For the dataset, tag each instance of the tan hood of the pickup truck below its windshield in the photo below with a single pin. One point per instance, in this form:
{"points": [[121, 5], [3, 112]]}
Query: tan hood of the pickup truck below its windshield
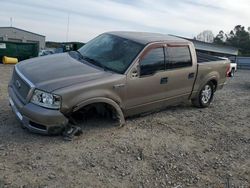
{"points": [[58, 71]]}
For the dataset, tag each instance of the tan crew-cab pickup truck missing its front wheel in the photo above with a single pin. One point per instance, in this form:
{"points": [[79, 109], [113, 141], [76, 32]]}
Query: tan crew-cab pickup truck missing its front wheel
{"points": [[125, 73]]}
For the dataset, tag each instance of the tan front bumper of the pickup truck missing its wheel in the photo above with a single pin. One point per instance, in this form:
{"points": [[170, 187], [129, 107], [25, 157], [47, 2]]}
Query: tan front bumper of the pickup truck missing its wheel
{"points": [[35, 118]]}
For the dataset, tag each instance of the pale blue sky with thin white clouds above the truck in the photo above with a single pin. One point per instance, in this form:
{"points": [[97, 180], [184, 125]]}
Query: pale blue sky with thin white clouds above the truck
{"points": [[90, 18]]}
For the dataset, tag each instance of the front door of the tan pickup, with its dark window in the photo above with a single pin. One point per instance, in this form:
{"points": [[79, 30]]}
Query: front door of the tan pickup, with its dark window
{"points": [[150, 84]]}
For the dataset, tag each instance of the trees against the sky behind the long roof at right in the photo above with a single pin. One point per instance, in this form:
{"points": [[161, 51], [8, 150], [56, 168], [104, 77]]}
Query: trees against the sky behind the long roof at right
{"points": [[239, 38]]}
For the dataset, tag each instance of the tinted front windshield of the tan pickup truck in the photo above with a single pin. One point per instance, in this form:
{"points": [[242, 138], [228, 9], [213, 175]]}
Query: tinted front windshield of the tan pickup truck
{"points": [[111, 52]]}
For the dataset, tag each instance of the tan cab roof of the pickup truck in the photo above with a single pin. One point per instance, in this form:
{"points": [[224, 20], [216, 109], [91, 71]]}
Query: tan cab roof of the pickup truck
{"points": [[146, 38]]}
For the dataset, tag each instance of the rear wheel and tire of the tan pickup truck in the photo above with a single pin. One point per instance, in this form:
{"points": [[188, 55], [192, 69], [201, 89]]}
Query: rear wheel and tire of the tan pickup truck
{"points": [[205, 96]]}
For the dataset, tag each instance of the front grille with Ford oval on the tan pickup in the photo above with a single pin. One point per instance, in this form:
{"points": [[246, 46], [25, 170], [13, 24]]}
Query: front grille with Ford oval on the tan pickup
{"points": [[21, 87]]}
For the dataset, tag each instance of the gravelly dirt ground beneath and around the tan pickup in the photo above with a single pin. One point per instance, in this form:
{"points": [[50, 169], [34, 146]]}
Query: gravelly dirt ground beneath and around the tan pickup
{"points": [[181, 146]]}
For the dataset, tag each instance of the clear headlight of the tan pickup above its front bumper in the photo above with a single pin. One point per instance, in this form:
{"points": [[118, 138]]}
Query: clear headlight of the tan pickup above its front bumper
{"points": [[46, 100]]}
